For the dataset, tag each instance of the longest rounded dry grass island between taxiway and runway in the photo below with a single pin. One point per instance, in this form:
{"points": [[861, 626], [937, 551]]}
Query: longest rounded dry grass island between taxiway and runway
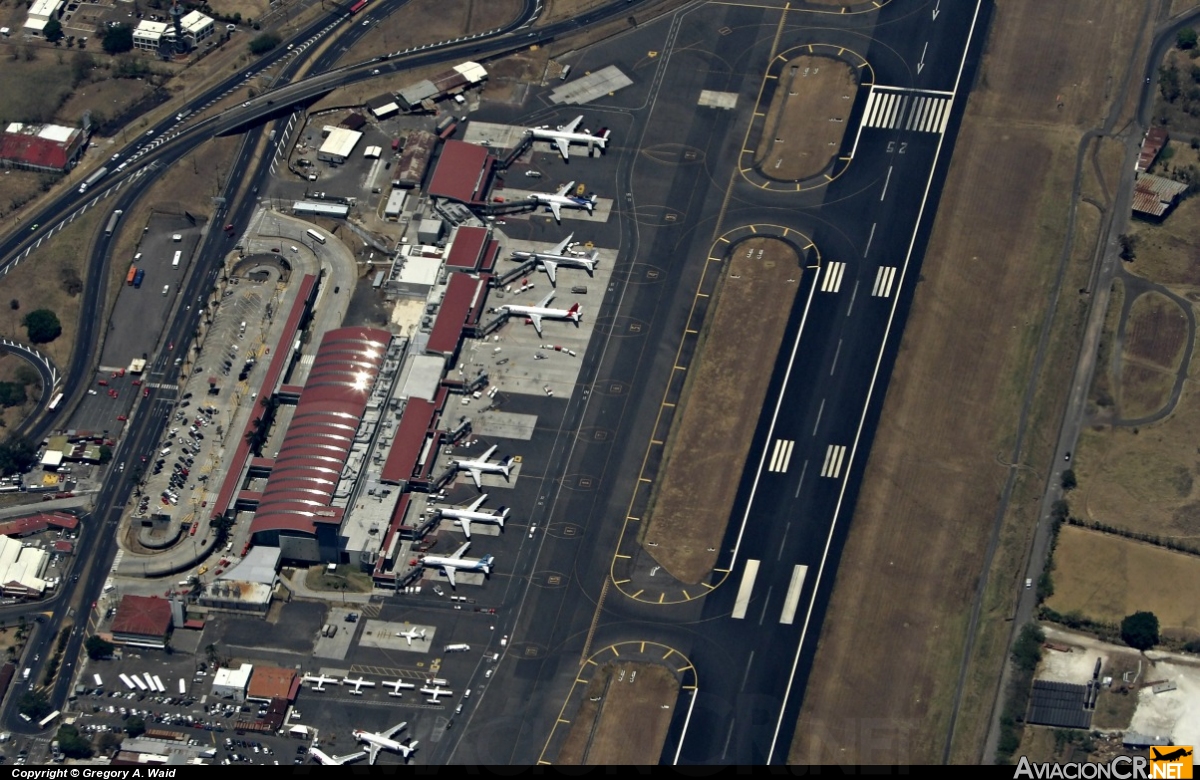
{"points": [[712, 431]]}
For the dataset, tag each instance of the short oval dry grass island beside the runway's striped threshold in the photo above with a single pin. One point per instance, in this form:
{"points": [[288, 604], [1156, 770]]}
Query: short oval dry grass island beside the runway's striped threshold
{"points": [[807, 118]]}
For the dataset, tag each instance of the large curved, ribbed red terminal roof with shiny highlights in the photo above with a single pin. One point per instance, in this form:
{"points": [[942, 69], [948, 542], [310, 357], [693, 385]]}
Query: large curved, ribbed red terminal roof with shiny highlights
{"points": [[319, 441]]}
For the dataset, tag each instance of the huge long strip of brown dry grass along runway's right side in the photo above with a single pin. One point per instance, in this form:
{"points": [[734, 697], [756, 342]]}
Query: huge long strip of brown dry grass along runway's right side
{"points": [[911, 566]]}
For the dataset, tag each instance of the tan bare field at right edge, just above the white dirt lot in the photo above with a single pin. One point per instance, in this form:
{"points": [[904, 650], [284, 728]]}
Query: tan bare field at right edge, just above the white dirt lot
{"points": [[1106, 578]]}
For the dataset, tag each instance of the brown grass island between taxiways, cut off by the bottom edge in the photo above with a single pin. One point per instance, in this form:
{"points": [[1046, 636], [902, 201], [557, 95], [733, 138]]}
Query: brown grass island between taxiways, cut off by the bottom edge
{"points": [[628, 724]]}
